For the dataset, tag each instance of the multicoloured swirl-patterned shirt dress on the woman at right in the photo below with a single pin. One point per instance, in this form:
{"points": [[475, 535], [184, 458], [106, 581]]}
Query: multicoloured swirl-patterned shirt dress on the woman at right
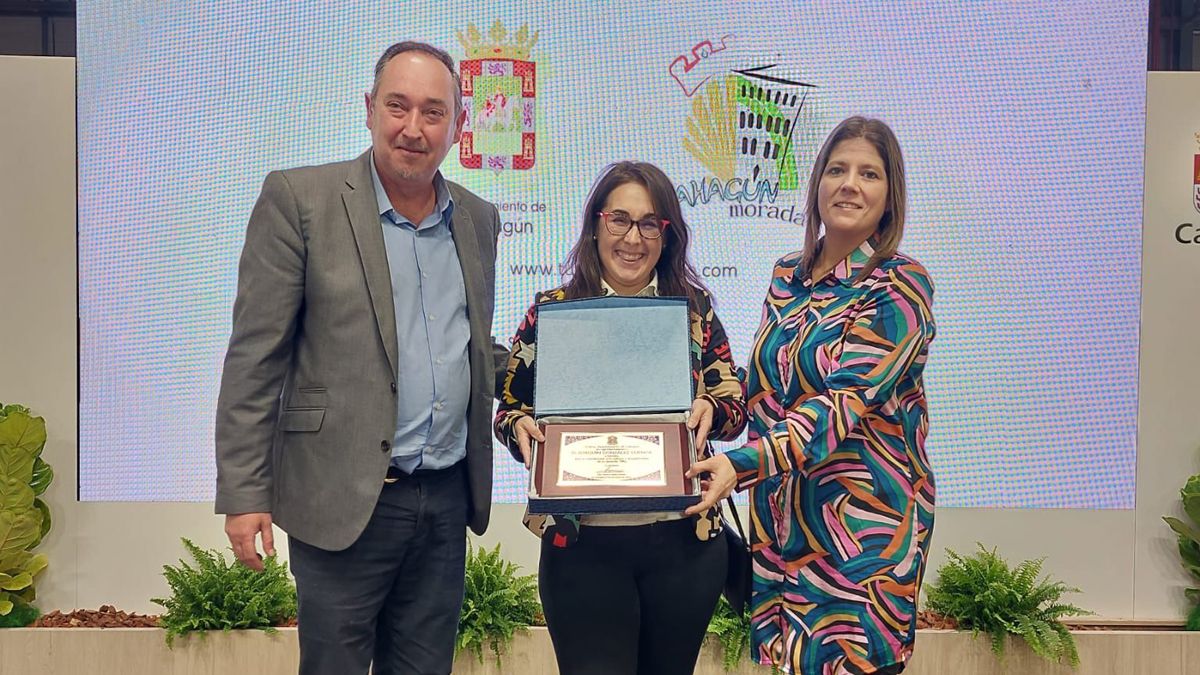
{"points": [[843, 499]]}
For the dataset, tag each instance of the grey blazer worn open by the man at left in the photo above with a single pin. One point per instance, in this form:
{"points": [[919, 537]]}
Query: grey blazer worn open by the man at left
{"points": [[308, 404]]}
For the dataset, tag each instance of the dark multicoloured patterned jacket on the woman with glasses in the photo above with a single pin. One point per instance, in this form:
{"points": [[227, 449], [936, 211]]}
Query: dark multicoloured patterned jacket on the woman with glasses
{"points": [[715, 379]]}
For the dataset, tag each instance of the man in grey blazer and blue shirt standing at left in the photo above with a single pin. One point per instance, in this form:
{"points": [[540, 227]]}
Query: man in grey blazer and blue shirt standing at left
{"points": [[357, 393]]}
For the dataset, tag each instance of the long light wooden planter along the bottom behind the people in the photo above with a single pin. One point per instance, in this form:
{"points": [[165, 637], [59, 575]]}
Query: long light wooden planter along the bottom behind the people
{"points": [[137, 652]]}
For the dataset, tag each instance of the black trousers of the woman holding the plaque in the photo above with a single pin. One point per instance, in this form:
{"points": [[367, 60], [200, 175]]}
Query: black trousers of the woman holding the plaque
{"points": [[626, 601]]}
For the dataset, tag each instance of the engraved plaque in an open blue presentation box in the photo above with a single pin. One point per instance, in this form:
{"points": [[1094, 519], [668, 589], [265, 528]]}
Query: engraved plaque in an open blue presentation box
{"points": [[613, 393]]}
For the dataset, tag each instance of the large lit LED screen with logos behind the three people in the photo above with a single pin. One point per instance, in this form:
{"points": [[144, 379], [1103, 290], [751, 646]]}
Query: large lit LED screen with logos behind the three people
{"points": [[1022, 126]]}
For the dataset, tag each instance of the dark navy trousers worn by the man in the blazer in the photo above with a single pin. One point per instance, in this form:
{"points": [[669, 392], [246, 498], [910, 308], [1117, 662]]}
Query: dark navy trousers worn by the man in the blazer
{"points": [[395, 595]]}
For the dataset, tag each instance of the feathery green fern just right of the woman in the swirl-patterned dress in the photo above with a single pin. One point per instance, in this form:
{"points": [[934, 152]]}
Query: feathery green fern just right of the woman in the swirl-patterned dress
{"points": [[985, 595]]}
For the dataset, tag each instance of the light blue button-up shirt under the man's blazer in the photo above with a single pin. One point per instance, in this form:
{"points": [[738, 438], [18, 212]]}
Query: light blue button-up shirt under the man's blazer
{"points": [[433, 332]]}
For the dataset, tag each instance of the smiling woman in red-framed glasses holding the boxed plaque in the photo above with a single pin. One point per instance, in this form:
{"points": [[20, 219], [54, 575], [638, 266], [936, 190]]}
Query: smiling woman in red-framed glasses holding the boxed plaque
{"points": [[631, 594]]}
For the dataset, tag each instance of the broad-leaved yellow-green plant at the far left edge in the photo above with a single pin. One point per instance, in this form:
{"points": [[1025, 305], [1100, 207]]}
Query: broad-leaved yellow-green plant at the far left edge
{"points": [[25, 517]]}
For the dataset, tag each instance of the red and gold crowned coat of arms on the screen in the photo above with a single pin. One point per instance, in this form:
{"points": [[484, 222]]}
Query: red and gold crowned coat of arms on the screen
{"points": [[500, 91]]}
